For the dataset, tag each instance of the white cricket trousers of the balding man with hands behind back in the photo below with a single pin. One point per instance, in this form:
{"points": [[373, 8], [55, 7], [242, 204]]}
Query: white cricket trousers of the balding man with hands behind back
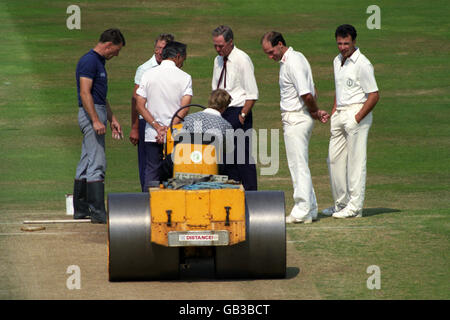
{"points": [[297, 128]]}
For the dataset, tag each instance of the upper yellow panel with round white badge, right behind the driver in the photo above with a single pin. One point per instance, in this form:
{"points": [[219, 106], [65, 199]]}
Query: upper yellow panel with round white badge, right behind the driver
{"points": [[195, 158]]}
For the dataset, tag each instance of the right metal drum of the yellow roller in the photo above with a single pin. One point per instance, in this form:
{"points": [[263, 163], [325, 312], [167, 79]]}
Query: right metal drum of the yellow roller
{"points": [[263, 254]]}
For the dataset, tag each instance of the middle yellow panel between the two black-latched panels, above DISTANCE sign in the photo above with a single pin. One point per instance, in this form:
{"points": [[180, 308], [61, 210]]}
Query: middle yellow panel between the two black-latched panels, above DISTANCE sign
{"points": [[197, 208]]}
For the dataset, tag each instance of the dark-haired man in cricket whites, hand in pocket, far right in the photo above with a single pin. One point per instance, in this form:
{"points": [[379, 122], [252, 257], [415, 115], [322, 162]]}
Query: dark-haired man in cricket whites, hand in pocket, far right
{"points": [[356, 96]]}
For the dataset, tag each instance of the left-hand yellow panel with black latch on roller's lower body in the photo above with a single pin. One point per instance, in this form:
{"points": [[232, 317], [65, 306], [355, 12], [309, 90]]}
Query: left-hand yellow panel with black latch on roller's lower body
{"points": [[168, 199]]}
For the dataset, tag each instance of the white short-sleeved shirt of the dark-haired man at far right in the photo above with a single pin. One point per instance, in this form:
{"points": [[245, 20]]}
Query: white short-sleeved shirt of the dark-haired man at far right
{"points": [[354, 80]]}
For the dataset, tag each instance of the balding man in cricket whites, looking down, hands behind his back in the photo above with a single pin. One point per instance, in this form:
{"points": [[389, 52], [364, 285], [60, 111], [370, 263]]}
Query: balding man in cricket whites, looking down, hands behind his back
{"points": [[298, 110]]}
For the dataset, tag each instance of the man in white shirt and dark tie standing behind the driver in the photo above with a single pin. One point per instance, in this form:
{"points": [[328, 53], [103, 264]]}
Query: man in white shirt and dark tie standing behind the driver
{"points": [[234, 72]]}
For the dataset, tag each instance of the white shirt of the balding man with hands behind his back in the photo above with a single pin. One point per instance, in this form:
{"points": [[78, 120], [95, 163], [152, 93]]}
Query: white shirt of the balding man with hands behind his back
{"points": [[295, 80]]}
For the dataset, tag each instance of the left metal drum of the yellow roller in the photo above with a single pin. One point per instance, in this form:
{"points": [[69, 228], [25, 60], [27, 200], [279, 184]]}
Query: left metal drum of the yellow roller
{"points": [[131, 254]]}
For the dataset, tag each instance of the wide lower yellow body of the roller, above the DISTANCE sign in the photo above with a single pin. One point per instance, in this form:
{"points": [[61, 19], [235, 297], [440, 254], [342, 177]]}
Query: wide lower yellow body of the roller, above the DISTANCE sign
{"points": [[197, 210]]}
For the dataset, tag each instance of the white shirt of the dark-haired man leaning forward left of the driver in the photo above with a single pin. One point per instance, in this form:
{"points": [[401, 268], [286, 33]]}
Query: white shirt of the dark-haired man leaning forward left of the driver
{"points": [[163, 86]]}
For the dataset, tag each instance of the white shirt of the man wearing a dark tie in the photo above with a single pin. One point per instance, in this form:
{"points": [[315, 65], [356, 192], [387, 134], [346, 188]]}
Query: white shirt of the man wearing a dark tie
{"points": [[240, 77]]}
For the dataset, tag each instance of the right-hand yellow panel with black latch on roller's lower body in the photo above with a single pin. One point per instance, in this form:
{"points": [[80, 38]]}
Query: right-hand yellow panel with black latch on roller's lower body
{"points": [[233, 198]]}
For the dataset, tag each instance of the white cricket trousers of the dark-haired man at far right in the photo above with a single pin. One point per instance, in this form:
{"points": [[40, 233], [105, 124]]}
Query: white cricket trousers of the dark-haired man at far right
{"points": [[347, 157]]}
